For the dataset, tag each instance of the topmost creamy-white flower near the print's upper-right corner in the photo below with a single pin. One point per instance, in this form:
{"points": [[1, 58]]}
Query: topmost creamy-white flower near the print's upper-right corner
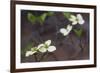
{"points": [[78, 19]]}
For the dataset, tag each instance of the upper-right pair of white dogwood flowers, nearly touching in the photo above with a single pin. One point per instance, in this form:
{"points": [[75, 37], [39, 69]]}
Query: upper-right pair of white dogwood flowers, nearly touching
{"points": [[78, 19]]}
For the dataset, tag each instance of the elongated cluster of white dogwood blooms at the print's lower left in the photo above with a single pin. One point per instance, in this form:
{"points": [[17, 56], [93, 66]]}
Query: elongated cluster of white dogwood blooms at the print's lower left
{"points": [[45, 47]]}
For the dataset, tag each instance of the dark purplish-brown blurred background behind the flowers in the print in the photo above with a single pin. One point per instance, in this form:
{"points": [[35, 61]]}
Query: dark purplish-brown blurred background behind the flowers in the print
{"points": [[34, 34]]}
